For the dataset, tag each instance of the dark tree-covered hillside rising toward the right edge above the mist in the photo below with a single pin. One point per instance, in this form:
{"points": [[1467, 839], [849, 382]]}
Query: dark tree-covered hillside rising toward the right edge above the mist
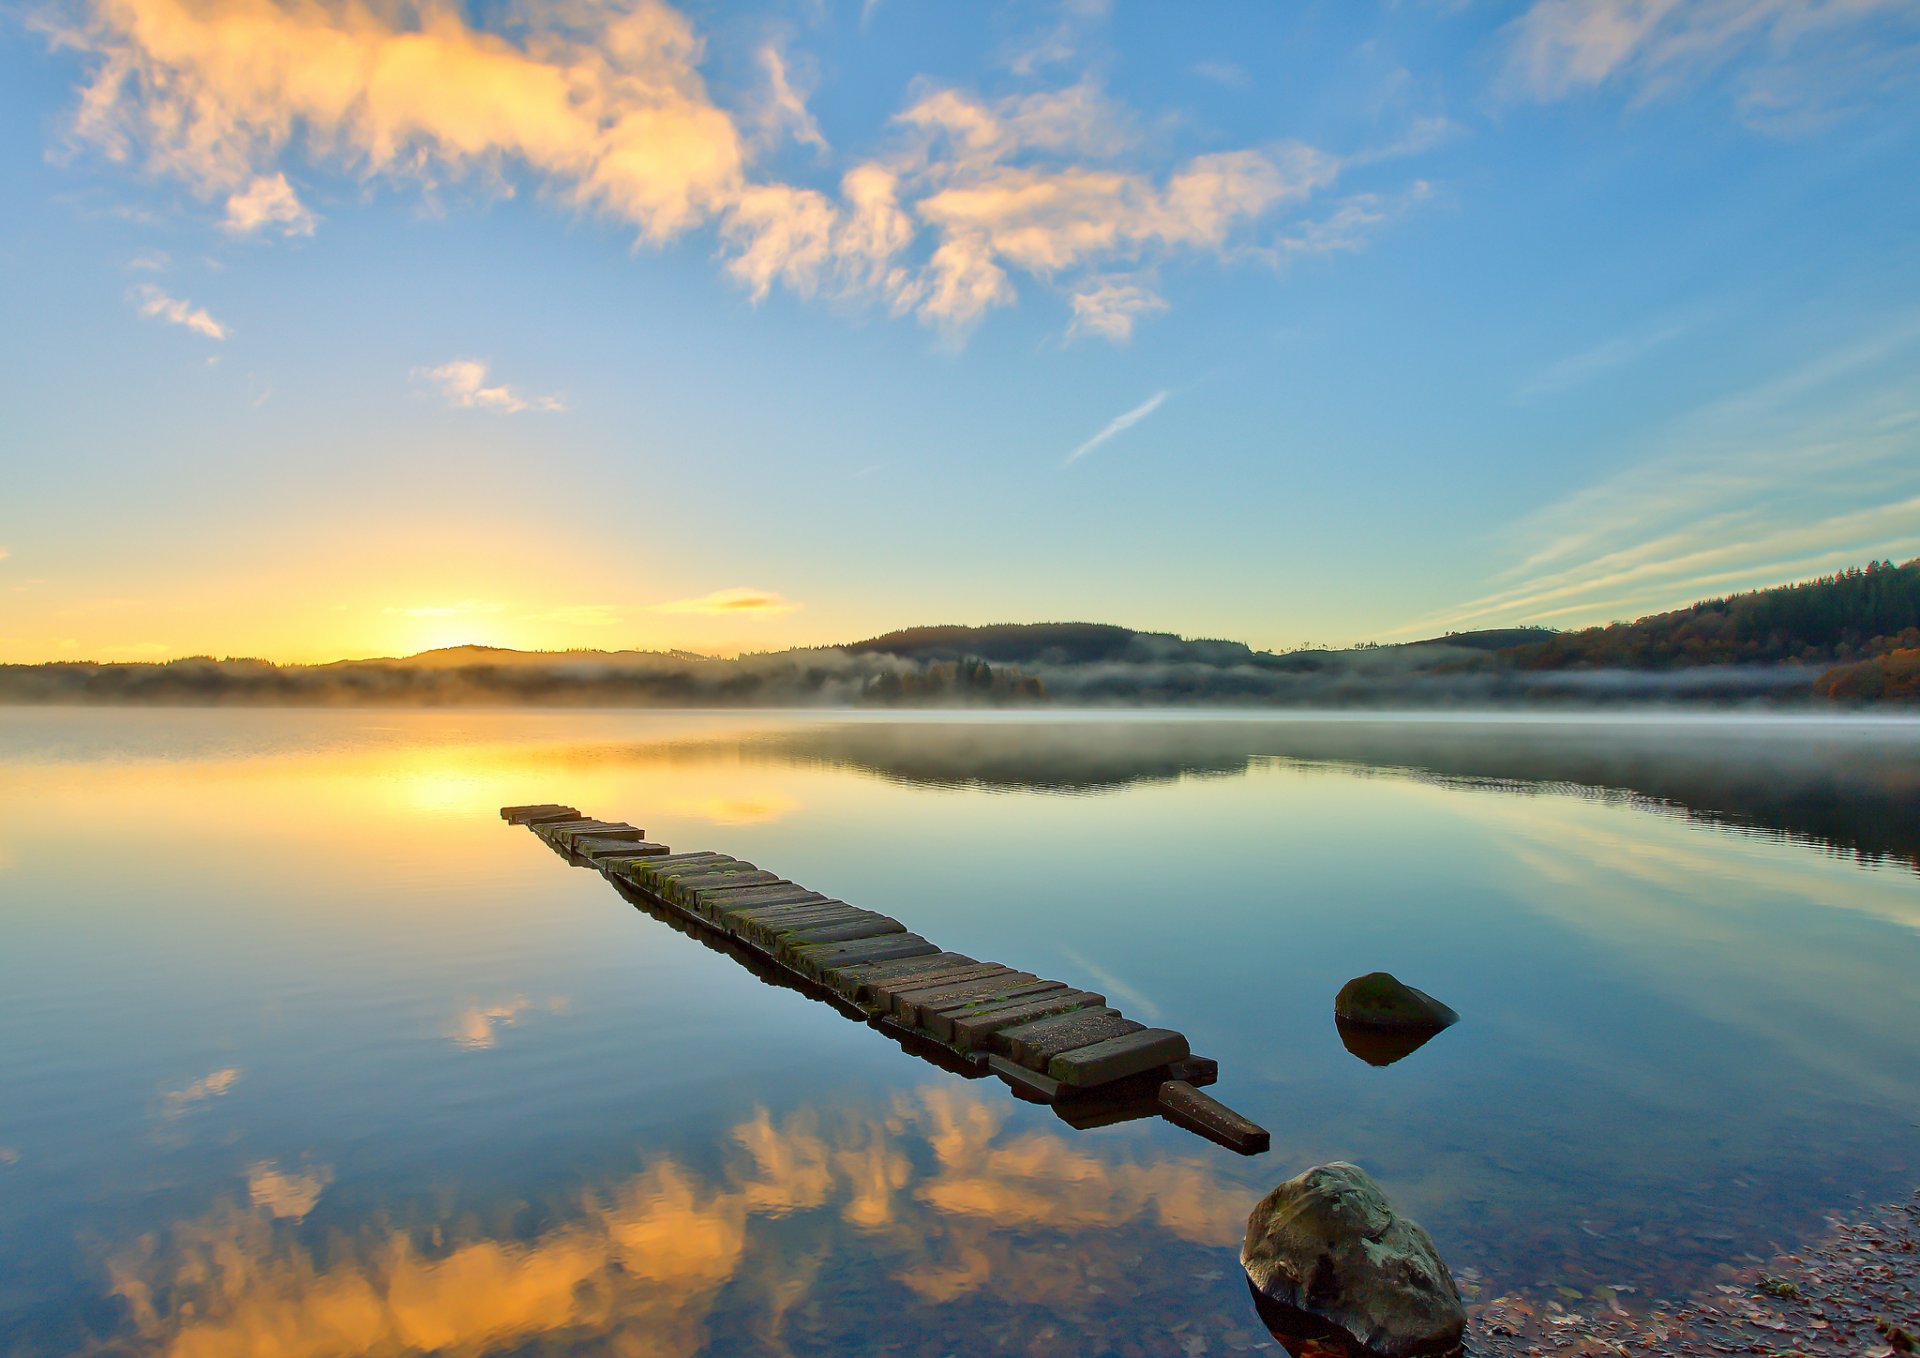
{"points": [[1838, 619]]}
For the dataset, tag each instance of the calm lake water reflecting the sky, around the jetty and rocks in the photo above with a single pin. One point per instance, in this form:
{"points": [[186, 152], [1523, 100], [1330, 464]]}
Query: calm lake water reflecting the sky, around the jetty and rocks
{"points": [[302, 1052]]}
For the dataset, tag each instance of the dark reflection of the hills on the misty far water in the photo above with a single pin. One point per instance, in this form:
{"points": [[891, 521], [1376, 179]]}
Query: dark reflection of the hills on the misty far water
{"points": [[1848, 788]]}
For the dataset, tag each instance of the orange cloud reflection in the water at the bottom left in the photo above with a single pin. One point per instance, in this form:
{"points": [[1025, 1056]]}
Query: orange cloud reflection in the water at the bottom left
{"points": [[848, 1232]]}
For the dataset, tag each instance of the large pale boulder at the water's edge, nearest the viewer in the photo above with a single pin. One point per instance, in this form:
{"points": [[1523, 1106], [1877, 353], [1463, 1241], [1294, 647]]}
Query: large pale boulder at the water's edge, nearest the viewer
{"points": [[1330, 1244]]}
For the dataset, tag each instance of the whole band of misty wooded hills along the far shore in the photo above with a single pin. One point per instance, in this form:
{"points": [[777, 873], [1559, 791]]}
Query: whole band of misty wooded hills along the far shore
{"points": [[1842, 639]]}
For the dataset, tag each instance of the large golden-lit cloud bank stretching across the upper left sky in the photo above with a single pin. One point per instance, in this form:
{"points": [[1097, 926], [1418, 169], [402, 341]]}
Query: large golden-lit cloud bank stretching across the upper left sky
{"points": [[608, 112]]}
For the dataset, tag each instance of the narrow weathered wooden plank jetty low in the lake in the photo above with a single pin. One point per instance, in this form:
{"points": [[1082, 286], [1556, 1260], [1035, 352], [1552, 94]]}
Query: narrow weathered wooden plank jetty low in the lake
{"points": [[1051, 1042]]}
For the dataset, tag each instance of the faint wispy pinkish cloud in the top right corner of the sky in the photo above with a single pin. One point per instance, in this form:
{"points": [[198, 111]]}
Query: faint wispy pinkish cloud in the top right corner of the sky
{"points": [[1777, 53]]}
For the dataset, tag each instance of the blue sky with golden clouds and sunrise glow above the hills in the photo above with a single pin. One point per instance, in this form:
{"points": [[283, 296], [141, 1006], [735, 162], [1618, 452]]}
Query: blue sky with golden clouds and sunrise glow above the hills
{"points": [[345, 329]]}
